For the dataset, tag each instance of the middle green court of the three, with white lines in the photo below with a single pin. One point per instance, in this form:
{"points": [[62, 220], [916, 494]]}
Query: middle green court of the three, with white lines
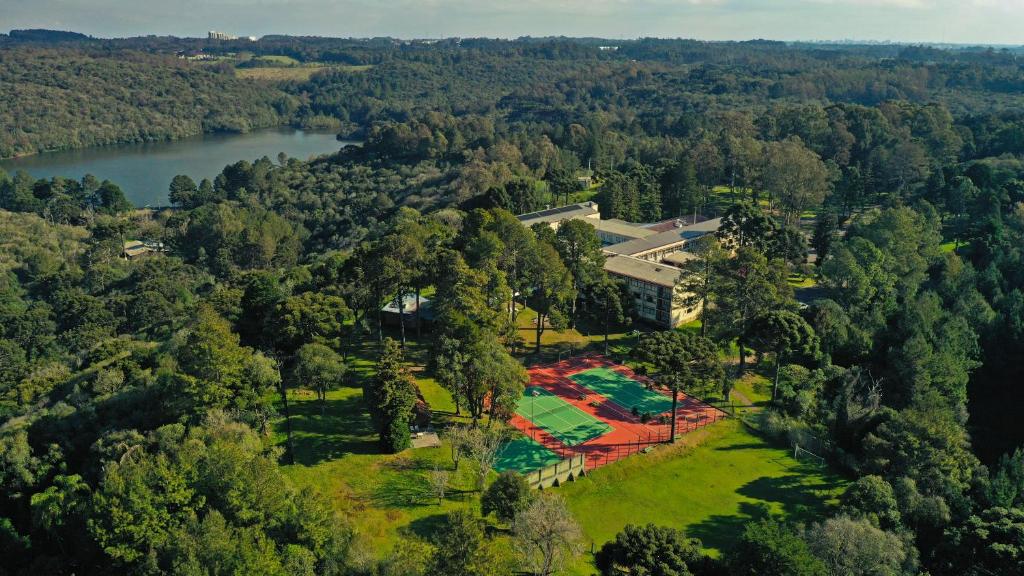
{"points": [[560, 419]]}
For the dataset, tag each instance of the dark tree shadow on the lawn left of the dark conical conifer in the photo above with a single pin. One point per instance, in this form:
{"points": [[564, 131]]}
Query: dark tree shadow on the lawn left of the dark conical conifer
{"points": [[343, 430]]}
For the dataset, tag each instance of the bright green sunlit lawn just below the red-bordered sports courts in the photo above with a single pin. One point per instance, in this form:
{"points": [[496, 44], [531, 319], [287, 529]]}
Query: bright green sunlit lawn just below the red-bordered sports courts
{"points": [[711, 490]]}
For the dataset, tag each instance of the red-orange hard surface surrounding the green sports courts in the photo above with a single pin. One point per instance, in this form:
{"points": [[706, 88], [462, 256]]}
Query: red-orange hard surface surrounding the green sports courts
{"points": [[629, 435]]}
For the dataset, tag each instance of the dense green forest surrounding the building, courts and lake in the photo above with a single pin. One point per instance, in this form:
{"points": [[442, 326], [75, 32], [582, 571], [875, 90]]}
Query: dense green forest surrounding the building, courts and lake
{"points": [[140, 398]]}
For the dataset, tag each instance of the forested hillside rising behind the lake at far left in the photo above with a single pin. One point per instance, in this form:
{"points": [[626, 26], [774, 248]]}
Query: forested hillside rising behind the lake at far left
{"points": [[68, 98]]}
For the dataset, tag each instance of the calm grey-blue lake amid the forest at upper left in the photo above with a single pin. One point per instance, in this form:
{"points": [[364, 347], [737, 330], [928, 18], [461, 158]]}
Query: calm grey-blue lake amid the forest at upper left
{"points": [[145, 171]]}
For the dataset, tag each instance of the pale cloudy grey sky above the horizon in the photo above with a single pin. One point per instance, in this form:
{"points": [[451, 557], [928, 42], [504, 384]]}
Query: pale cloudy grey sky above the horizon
{"points": [[974, 22]]}
